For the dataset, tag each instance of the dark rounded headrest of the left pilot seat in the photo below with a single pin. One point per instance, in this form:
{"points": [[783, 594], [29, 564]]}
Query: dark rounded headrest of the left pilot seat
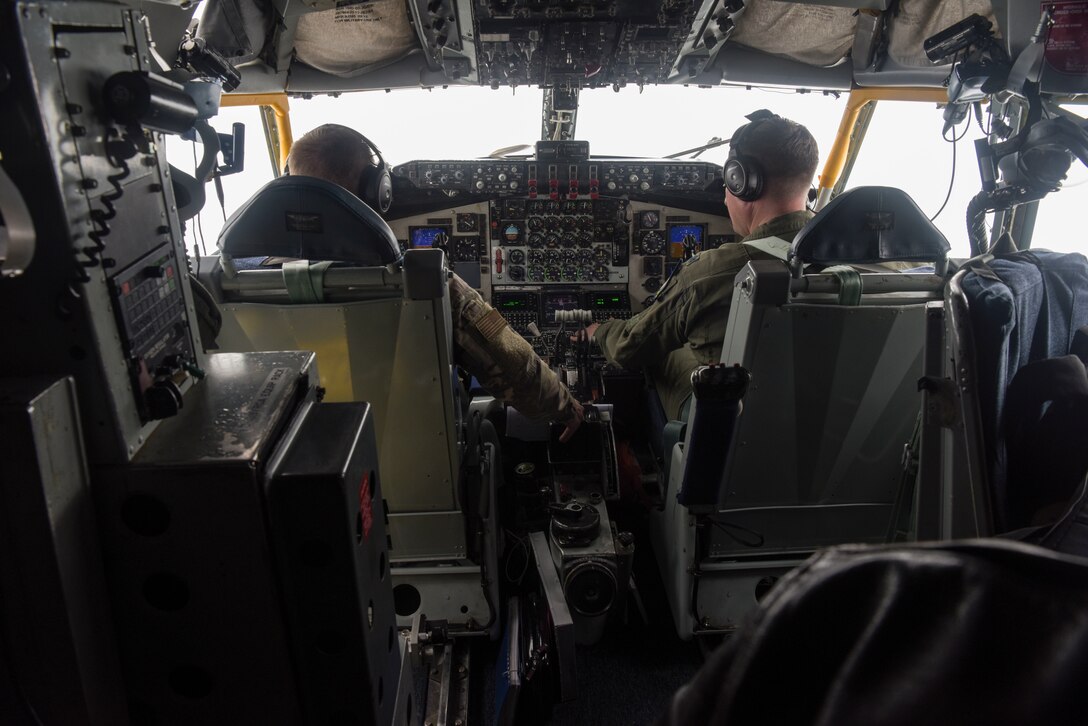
{"points": [[308, 218]]}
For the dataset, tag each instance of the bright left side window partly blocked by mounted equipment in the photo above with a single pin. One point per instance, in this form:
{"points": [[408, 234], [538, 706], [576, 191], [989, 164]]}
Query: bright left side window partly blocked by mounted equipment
{"points": [[203, 231]]}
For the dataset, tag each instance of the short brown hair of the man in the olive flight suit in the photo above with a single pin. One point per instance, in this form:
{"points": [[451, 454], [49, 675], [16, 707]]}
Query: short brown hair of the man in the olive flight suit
{"points": [[787, 154]]}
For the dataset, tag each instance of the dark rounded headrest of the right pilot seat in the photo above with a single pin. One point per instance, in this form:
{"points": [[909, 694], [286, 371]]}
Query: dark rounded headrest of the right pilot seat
{"points": [[870, 225]]}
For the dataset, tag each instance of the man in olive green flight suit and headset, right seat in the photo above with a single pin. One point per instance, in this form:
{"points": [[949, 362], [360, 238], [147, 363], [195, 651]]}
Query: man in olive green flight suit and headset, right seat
{"points": [[771, 166]]}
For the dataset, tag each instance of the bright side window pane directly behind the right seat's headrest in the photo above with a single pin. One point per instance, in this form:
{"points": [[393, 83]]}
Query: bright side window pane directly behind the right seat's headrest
{"points": [[904, 149]]}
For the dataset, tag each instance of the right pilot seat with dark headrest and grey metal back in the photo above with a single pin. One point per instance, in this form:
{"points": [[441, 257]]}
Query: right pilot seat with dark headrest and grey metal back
{"points": [[796, 441]]}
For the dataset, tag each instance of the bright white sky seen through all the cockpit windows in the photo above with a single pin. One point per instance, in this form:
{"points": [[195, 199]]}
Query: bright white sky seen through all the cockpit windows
{"points": [[904, 149]]}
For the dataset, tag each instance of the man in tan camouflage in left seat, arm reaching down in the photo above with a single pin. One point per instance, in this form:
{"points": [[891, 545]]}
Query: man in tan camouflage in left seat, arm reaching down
{"points": [[484, 343]]}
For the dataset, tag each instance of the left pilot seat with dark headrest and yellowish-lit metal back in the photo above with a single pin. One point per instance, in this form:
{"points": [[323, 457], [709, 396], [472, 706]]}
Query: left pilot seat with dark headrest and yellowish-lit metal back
{"points": [[305, 265]]}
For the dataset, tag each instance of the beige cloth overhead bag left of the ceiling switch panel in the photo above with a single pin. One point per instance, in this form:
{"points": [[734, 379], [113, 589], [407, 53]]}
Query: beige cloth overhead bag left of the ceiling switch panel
{"points": [[355, 38]]}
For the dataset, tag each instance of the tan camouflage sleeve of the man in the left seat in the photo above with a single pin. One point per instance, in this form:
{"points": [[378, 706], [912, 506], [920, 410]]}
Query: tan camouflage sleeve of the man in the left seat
{"points": [[502, 361]]}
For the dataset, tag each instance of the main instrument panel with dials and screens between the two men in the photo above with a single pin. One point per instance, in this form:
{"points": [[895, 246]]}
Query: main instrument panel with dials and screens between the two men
{"points": [[537, 237]]}
